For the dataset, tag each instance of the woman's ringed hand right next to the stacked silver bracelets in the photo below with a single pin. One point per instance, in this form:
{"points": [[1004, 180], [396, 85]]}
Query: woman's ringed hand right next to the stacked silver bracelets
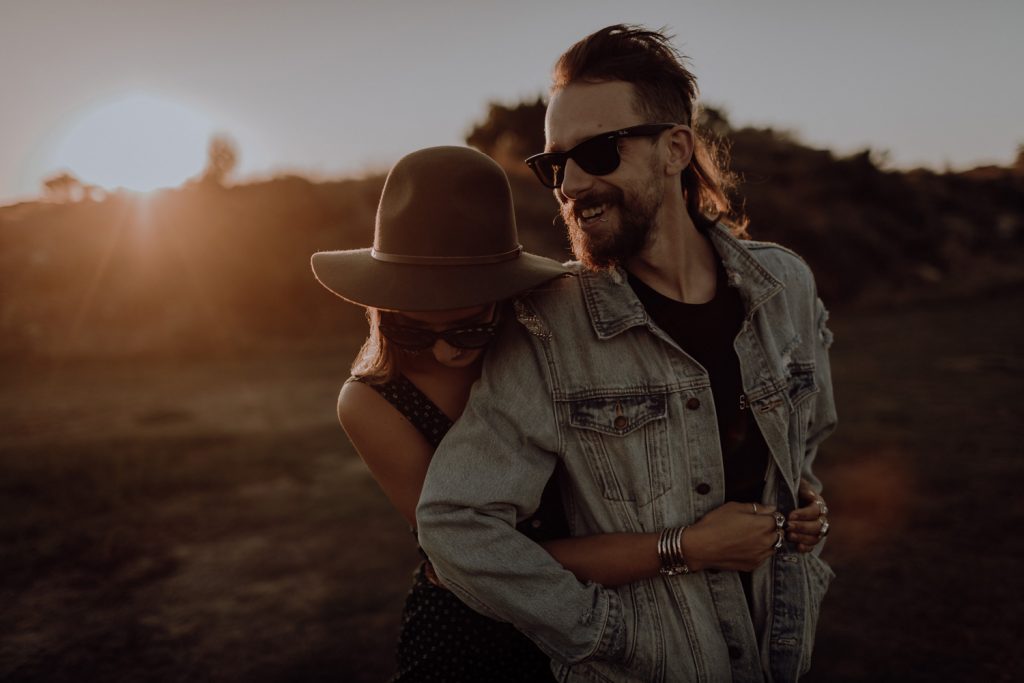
{"points": [[736, 536]]}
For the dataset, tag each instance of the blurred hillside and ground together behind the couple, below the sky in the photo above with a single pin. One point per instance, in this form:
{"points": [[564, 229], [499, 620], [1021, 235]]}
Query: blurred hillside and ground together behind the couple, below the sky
{"points": [[179, 502]]}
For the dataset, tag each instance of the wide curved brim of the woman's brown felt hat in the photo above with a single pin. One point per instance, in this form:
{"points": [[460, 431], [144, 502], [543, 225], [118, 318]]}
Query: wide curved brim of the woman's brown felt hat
{"points": [[360, 279]]}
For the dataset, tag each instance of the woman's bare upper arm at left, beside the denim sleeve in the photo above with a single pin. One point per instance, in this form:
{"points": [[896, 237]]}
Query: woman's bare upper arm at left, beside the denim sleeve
{"points": [[396, 453]]}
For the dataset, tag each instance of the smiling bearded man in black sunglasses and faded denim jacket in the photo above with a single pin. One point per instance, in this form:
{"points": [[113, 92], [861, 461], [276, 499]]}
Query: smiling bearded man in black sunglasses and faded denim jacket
{"points": [[681, 387]]}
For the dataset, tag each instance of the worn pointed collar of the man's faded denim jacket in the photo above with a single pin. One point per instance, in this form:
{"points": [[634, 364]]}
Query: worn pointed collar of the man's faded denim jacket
{"points": [[614, 311]]}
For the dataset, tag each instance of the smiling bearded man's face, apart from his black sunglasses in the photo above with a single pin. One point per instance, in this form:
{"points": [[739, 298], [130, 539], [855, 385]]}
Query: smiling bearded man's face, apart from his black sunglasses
{"points": [[610, 217]]}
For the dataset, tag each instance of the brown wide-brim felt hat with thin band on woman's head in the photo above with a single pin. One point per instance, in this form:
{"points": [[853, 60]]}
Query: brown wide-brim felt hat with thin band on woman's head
{"points": [[446, 238]]}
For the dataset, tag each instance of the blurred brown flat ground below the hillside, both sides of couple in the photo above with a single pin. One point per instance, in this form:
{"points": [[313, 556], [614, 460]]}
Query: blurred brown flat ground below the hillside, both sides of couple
{"points": [[207, 520]]}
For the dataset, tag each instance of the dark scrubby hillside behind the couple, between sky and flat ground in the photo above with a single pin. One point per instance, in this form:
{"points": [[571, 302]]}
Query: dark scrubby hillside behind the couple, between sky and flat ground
{"points": [[207, 269]]}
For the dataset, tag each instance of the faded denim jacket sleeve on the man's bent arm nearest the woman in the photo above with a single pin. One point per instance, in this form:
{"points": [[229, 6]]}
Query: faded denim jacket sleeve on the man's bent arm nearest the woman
{"points": [[489, 473]]}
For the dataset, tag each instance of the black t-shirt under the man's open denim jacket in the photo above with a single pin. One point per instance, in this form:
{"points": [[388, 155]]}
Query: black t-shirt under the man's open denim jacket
{"points": [[707, 332]]}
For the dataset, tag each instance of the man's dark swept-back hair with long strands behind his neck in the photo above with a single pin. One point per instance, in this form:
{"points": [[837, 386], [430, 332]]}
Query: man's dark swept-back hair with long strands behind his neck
{"points": [[666, 92]]}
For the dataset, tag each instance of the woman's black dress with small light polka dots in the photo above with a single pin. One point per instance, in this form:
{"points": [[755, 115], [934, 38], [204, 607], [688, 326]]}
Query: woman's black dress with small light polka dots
{"points": [[442, 639]]}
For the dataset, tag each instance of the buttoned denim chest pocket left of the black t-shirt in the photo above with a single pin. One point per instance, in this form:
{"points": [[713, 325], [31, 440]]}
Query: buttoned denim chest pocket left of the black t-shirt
{"points": [[624, 440]]}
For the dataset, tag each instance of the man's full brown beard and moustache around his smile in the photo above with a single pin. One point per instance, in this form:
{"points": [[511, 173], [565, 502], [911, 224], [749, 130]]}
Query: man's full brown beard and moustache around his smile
{"points": [[601, 248]]}
